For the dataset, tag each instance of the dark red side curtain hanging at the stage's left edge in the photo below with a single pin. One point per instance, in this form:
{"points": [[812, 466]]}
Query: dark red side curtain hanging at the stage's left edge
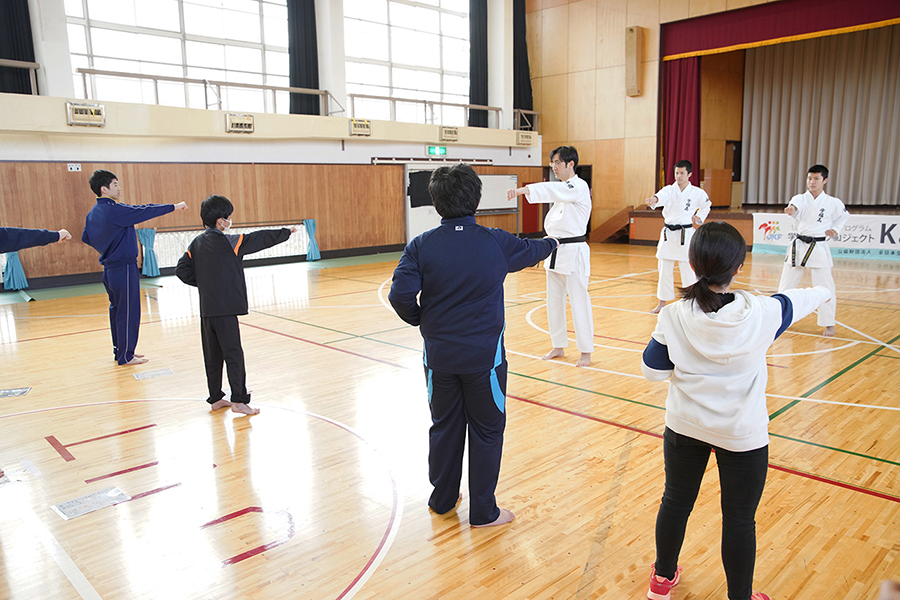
{"points": [[681, 120]]}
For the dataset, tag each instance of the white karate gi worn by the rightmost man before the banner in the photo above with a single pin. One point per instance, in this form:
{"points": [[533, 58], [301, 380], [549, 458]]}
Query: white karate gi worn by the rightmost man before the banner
{"points": [[813, 218]]}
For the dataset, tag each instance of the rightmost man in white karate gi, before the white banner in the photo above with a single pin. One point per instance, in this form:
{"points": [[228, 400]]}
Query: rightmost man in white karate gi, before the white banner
{"points": [[817, 217]]}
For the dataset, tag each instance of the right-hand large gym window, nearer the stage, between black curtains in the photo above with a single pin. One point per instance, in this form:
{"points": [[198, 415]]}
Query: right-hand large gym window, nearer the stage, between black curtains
{"points": [[409, 50]]}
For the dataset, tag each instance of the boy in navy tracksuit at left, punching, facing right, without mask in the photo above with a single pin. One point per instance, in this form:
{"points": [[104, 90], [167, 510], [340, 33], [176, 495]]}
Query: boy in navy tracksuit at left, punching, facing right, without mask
{"points": [[109, 229]]}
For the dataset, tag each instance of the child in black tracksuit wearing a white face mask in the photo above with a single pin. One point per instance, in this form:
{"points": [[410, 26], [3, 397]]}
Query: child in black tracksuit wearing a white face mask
{"points": [[213, 264]]}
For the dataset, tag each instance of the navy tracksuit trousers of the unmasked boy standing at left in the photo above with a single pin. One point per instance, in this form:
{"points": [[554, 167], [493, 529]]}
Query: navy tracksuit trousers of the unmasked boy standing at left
{"points": [[123, 288]]}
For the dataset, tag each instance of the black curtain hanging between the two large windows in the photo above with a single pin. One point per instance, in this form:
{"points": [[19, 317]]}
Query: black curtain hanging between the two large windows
{"points": [[304, 55]]}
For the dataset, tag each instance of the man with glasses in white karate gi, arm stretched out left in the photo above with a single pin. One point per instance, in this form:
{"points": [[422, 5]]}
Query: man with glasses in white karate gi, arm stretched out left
{"points": [[569, 268]]}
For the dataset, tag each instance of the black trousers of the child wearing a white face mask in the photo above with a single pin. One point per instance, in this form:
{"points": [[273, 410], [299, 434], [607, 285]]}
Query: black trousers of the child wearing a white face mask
{"points": [[222, 343]]}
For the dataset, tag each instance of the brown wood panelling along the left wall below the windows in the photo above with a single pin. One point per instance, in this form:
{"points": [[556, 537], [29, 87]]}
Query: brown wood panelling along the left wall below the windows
{"points": [[355, 206]]}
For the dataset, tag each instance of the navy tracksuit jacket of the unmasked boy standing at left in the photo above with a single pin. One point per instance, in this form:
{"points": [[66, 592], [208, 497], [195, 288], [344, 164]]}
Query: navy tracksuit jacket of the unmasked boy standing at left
{"points": [[109, 229]]}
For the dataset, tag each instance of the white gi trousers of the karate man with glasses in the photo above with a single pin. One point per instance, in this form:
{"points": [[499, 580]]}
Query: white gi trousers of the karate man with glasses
{"points": [[575, 285]]}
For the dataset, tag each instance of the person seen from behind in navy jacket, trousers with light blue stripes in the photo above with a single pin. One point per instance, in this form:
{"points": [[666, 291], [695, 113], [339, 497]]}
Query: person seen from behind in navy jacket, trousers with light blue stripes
{"points": [[459, 268]]}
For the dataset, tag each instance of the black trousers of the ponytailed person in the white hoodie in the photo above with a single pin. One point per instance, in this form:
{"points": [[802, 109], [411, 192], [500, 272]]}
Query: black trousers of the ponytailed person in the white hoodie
{"points": [[742, 476]]}
